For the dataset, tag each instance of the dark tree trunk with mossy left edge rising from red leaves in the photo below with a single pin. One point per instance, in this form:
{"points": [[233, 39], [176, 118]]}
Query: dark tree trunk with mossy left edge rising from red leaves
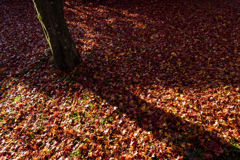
{"points": [[51, 16]]}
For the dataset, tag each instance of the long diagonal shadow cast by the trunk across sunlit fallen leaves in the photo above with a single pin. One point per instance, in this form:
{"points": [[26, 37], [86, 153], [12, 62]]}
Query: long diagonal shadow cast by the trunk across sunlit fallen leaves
{"points": [[117, 90]]}
